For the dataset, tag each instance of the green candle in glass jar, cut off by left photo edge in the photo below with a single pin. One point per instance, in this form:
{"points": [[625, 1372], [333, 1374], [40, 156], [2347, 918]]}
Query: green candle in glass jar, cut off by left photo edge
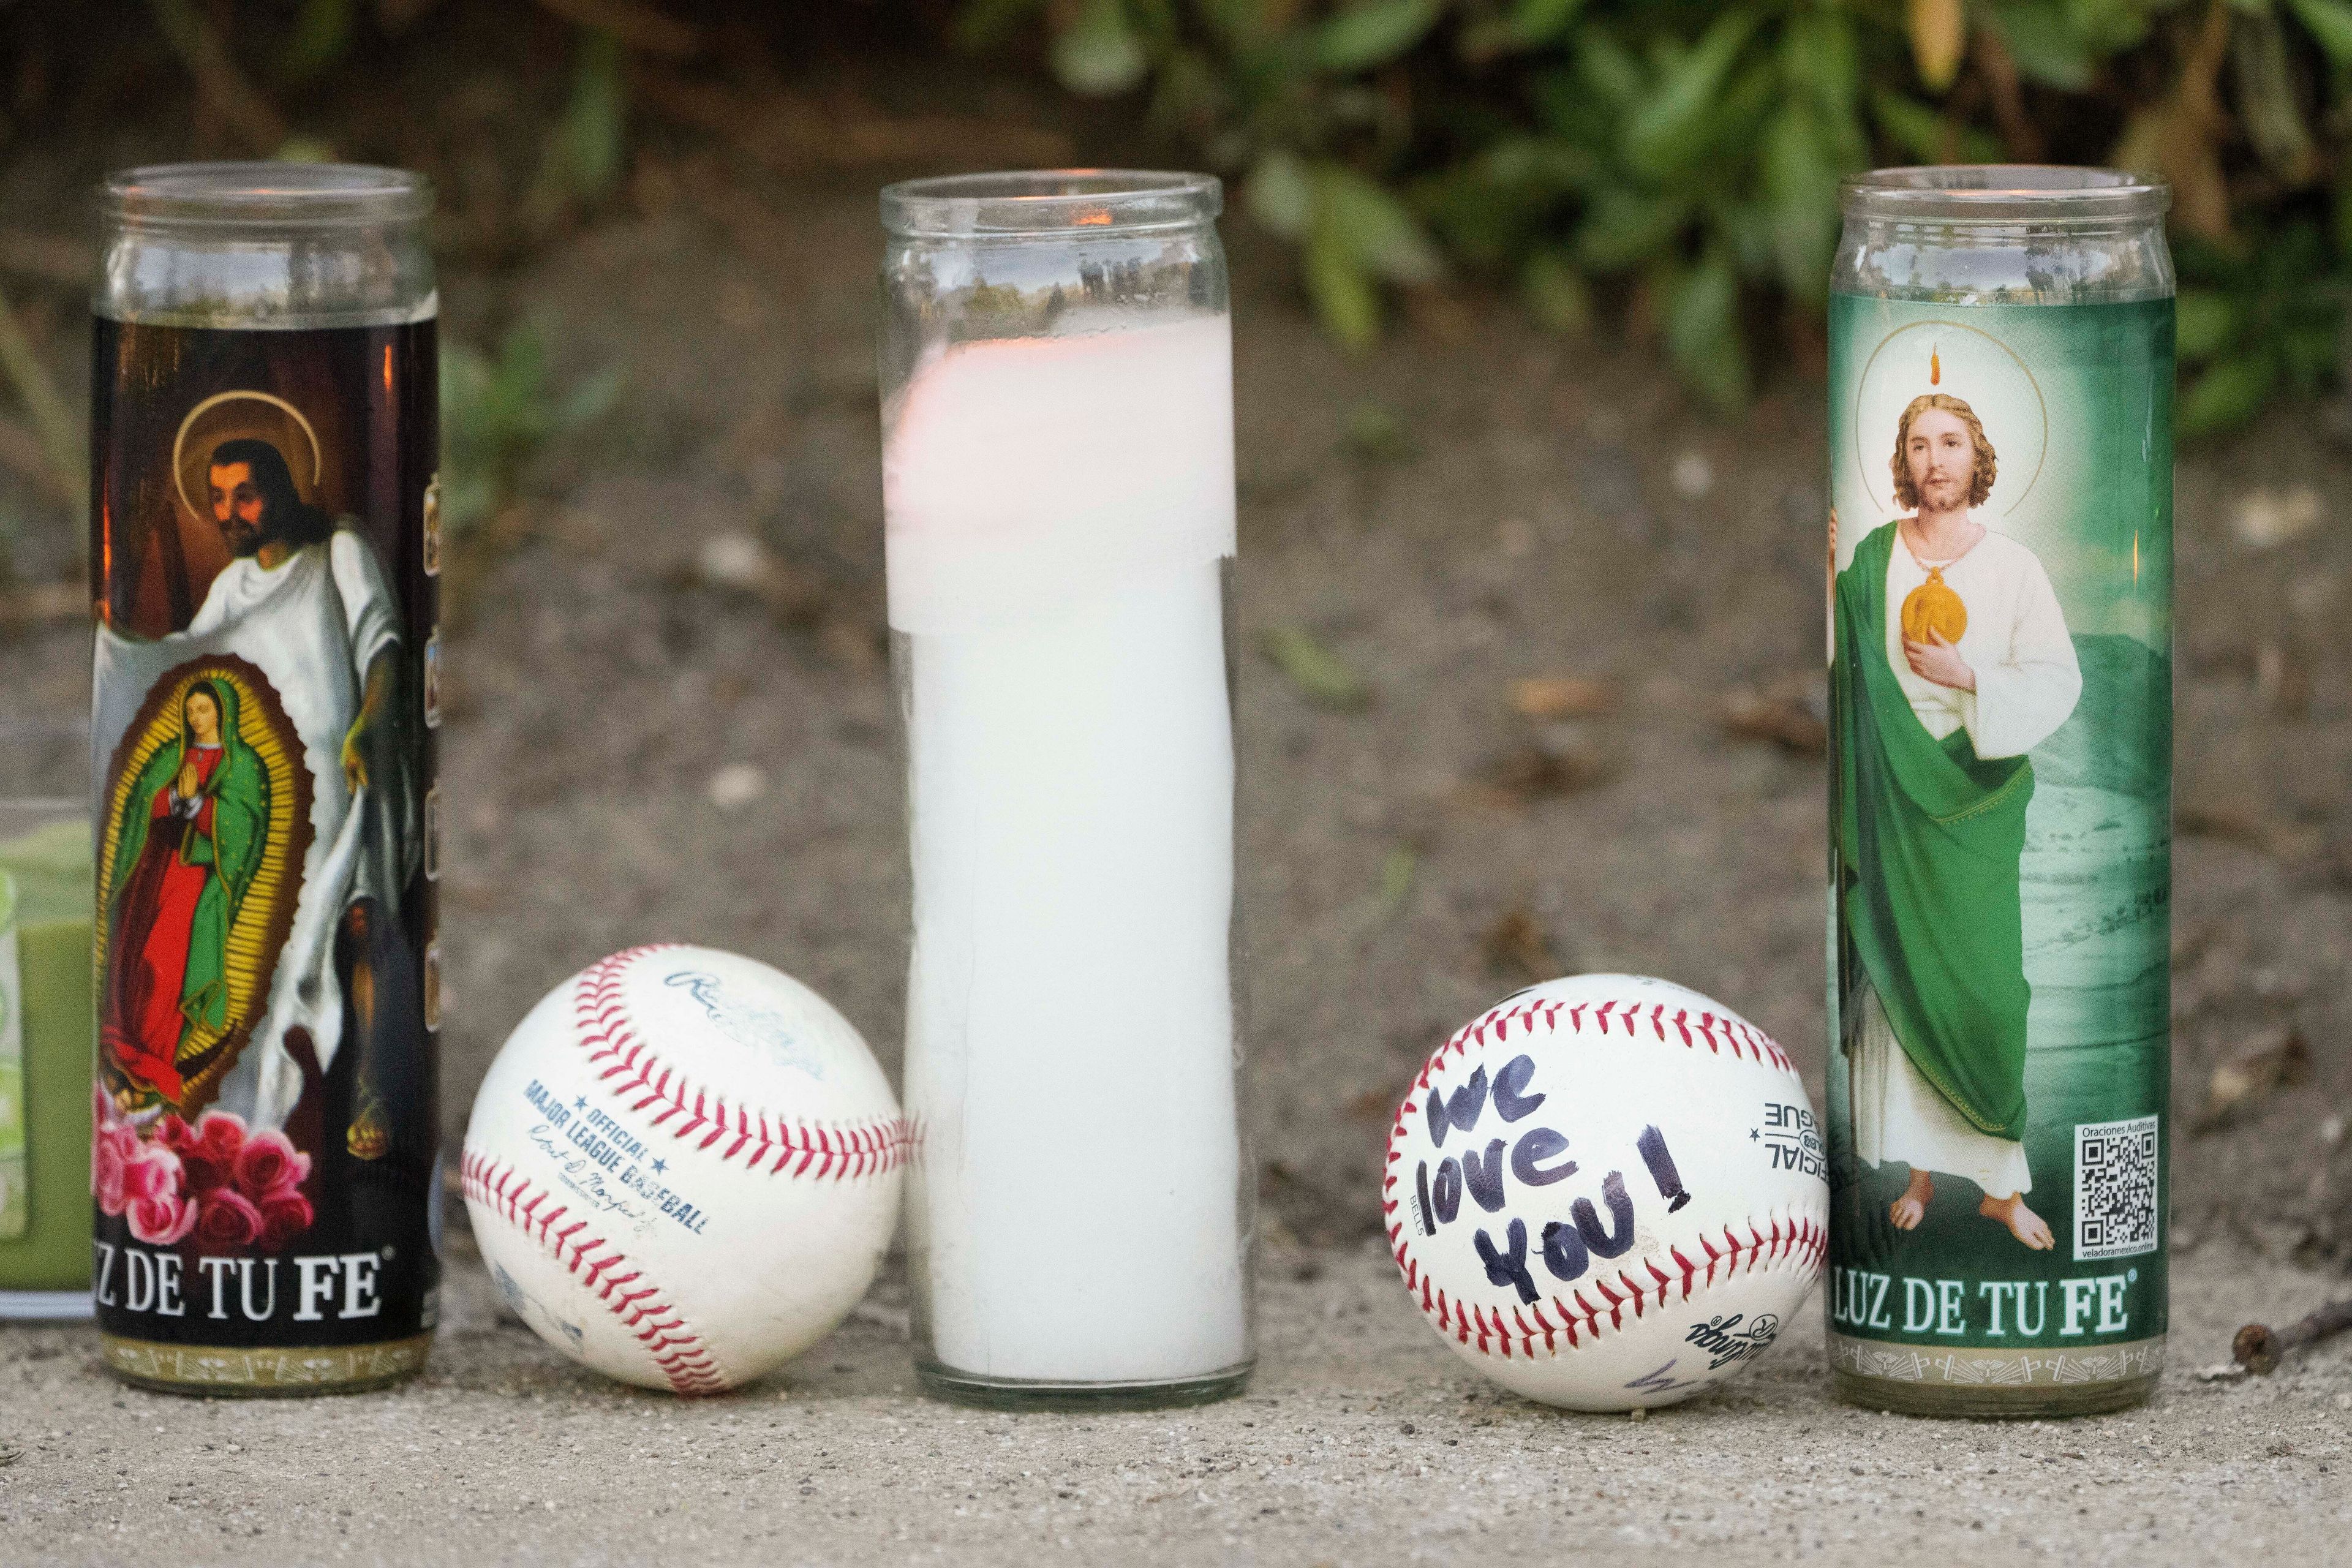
{"points": [[46, 1026]]}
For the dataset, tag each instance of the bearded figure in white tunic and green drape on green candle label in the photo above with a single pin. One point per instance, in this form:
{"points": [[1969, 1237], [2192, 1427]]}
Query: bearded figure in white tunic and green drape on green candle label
{"points": [[1951, 664]]}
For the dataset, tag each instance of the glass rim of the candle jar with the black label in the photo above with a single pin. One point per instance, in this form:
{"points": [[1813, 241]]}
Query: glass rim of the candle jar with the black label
{"points": [[272, 196]]}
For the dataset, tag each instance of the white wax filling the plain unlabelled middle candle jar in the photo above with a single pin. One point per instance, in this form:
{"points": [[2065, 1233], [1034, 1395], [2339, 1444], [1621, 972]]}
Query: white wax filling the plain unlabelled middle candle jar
{"points": [[1057, 523]]}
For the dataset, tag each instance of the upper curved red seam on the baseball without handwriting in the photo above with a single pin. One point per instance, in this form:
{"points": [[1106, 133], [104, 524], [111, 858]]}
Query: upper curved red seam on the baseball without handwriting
{"points": [[641, 1080]]}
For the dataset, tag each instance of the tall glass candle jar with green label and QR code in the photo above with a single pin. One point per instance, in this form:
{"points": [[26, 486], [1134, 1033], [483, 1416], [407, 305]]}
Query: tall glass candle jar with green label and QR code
{"points": [[2000, 789]]}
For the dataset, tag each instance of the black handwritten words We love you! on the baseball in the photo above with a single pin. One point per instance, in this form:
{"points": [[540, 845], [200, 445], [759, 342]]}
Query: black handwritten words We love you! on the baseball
{"points": [[1537, 1158]]}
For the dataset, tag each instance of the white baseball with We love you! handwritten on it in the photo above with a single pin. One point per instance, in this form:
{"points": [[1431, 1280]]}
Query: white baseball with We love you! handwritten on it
{"points": [[1608, 1193]]}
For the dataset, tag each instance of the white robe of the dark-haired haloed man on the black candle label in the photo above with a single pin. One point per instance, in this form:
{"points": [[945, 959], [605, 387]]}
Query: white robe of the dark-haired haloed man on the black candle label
{"points": [[314, 626]]}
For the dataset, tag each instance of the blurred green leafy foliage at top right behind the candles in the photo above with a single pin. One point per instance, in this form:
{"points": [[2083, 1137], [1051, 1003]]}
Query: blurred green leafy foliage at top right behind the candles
{"points": [[1678, 161]]}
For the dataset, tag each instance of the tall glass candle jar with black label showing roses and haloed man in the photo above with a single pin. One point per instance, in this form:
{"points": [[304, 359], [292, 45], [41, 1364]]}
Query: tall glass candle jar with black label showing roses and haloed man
{"points": [[265, 713]]}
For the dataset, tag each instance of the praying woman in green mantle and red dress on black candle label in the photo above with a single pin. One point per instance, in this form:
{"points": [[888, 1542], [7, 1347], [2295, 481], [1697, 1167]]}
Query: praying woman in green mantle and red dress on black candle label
{"points": [[192, 840]]}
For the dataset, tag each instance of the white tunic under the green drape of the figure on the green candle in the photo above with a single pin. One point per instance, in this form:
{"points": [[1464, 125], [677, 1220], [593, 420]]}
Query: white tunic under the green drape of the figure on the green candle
{"points": [[2026, 685]]}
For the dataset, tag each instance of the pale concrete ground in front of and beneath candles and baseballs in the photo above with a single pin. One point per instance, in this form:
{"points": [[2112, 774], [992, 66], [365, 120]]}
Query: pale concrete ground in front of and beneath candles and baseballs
{"points": [[1361, 1442]]}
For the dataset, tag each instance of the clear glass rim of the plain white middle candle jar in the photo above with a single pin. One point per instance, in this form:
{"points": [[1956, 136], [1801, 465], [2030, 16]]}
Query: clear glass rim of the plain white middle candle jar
{"points": [[1038, 203]]}
